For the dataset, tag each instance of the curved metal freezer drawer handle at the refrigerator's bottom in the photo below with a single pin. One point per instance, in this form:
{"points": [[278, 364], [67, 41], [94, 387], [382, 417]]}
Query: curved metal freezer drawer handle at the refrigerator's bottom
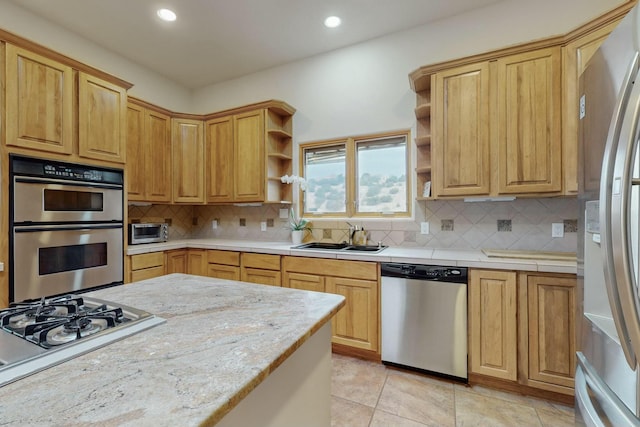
{"points": [[590, 388]]}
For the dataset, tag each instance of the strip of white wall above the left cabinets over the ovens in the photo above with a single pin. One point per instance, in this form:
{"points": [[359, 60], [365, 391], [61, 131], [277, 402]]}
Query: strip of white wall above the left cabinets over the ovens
{"points": [[148, 85]]}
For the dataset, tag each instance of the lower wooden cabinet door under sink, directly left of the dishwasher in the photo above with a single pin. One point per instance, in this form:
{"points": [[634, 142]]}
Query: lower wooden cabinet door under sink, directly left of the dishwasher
{"points": [[356, 324]]}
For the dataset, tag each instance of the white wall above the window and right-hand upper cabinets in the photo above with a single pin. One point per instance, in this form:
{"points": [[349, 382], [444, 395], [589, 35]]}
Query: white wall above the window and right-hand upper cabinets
{"points": [[365, 88]]}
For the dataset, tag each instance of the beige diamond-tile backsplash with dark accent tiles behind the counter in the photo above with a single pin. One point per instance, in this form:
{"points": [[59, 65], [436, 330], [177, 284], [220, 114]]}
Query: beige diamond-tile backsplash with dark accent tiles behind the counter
{"points": [[522, 224]]}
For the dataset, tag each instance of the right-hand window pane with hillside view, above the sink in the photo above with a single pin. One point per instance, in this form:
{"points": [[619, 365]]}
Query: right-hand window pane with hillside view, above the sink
{"points": [[382, 175]]}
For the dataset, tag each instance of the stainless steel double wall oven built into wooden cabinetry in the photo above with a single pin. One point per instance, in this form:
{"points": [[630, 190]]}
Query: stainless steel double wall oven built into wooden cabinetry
{"points": [[66, 227]]}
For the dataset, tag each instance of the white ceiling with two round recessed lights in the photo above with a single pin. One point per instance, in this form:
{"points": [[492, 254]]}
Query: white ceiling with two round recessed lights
{"points": [[217, 40]]}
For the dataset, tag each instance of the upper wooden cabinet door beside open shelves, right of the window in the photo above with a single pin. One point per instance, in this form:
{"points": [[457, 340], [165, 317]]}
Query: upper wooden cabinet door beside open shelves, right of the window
{"points": [[460, 139]]}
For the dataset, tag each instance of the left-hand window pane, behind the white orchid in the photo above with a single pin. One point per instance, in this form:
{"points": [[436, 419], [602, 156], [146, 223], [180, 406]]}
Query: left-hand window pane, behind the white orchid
{"points": [[325, 170]]}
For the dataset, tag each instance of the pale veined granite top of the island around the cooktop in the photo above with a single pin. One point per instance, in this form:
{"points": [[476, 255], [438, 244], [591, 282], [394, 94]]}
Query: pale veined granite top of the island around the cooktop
{"points": [[221, 339]]}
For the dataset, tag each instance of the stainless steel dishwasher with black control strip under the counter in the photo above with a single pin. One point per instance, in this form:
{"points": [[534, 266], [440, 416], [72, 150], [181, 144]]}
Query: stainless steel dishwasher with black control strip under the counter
{"points": [[424, 318]]}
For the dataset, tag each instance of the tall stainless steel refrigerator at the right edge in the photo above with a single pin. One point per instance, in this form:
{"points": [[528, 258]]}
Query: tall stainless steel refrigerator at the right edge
{"points": [[608, 324]]}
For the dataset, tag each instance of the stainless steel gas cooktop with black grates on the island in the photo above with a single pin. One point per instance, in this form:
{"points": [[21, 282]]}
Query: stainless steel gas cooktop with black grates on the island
{"points": [[35, 335]]}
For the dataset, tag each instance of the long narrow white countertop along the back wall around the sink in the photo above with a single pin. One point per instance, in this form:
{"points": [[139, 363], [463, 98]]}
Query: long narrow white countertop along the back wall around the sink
{"points": [[445, 257]]}
